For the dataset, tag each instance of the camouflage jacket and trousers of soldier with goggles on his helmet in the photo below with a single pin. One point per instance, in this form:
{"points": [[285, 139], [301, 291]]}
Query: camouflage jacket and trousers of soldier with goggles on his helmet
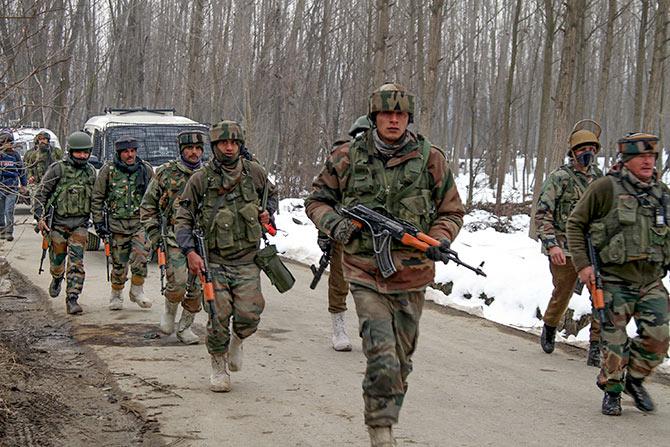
{"points": [[560, 193]]}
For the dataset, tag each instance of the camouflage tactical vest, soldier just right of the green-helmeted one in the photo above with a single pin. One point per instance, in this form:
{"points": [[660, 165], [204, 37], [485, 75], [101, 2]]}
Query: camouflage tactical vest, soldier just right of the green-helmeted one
{"points": [[124, 198]]}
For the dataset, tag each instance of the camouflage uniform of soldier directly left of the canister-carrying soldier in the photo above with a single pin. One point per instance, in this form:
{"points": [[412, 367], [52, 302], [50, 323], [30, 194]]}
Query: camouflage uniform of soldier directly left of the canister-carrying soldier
{"points": [[160, 202]]}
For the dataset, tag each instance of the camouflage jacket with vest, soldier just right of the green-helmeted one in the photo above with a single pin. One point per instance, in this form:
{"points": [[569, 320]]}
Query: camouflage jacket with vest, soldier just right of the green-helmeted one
{"points": [[118, 191]]}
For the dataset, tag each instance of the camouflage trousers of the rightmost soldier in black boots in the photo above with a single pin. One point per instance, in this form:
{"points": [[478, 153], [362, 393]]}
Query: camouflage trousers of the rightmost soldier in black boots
{"points": [[638, 356]]}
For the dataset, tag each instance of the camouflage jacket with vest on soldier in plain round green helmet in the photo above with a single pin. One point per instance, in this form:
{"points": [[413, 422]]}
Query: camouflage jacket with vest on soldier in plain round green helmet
{"points": [[68, 188]]}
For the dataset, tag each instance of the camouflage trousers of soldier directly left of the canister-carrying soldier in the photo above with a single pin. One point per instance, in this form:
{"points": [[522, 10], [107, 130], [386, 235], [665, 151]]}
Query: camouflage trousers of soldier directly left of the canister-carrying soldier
{"points": [[180, 286]]}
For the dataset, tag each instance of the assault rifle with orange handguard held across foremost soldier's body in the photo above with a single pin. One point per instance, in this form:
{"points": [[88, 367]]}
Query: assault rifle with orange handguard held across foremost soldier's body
{"points": [[384, 229]]}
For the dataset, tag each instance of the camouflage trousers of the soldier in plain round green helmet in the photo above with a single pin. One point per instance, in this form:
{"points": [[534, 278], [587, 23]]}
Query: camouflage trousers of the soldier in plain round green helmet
{"points": [[68, 243]]}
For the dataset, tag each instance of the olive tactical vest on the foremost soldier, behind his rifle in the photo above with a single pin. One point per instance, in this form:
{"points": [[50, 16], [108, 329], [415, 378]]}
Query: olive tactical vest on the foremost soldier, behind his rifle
{"points": [[402, 191]]}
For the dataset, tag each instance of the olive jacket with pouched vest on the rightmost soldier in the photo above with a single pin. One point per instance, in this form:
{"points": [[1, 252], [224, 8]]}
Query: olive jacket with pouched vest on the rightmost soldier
{"points": [[628, 223]]}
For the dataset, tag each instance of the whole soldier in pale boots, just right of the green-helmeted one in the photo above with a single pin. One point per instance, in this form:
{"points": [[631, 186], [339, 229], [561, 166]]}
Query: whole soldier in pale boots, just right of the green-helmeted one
{"points": [[119, 190]]}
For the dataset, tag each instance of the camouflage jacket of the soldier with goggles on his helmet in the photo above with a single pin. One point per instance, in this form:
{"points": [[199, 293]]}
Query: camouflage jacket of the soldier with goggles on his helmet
{"points": [[560, 193]]}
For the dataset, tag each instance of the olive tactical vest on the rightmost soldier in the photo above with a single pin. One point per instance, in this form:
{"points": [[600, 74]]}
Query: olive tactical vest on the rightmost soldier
{"points": [[631, 230]]}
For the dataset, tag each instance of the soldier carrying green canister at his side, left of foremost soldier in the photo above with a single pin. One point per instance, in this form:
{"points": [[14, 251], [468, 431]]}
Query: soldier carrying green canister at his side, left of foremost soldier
{"points": [[223, 199]]}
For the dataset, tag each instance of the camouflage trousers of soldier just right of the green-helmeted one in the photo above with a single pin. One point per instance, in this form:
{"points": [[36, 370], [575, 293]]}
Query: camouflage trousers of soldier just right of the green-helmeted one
{"points": [[129, 250]]}
